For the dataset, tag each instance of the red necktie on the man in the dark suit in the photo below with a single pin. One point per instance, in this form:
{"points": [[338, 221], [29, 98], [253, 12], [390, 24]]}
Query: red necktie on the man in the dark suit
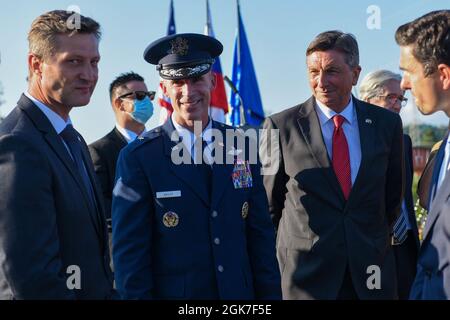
{"points": [[341, 157]]}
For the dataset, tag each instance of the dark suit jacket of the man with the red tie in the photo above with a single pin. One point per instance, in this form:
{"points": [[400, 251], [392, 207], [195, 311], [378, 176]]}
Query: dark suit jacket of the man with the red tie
{"points": [[319, 232]]}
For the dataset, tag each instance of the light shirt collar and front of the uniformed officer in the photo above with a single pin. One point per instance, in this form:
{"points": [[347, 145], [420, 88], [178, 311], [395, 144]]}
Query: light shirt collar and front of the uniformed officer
{"points": [[188, 139]]}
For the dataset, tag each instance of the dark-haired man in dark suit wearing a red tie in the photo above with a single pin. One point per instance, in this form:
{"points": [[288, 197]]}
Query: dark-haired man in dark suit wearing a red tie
{"points": [[339, 186]]}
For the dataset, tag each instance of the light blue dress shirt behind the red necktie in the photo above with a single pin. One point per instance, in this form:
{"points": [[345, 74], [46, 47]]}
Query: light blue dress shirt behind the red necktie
{"points": [[351, 131]]}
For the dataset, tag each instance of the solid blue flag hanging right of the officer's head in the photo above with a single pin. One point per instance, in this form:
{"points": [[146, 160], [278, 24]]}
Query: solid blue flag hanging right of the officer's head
{"points": [[244, 79]]}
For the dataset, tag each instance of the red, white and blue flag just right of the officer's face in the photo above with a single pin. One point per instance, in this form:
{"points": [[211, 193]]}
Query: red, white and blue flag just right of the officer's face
{"points": [[218, 104]]}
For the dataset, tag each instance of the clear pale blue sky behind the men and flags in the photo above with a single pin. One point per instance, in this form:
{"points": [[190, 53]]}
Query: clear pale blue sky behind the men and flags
{"points": [[278, 32]]}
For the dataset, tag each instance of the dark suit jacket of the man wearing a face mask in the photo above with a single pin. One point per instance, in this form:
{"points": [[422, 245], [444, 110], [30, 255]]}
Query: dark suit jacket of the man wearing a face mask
{"points": [[104, 153]]}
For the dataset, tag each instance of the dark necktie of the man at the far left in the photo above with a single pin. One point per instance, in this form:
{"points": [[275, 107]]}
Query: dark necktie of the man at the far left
{"points": [[71, 138]]}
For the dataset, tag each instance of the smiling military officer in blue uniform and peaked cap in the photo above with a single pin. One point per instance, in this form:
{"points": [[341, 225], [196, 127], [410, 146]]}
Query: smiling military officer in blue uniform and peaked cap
{"points": [[188, 223]]}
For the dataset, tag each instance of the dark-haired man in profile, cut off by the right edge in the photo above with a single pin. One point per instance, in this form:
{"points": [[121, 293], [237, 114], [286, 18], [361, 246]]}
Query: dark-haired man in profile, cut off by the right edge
{"points": [[425, 61]]}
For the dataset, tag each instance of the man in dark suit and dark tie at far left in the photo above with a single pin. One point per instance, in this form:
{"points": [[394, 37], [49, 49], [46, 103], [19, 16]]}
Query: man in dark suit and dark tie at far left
{"points": [[53, 242]]}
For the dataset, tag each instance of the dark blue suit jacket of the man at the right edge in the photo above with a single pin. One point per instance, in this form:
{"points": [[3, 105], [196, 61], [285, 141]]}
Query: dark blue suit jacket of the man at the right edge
{"points": [[433, 268]]}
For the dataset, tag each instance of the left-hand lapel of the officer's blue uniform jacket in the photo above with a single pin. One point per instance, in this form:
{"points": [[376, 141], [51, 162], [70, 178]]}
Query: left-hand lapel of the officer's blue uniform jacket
{"points": [[185, 172]]}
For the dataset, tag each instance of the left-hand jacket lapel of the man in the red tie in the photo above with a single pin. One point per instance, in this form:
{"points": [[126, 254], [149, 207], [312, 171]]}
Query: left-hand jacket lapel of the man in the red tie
{"points": [[311, 131]]}
